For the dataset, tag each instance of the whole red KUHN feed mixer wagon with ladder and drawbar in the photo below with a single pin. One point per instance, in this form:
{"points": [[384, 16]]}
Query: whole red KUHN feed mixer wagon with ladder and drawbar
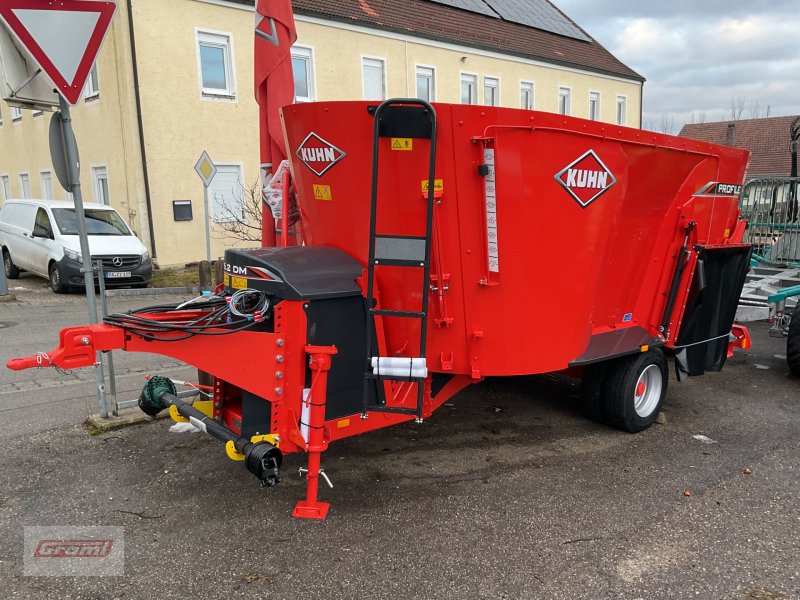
{"points": [[443, 244]]}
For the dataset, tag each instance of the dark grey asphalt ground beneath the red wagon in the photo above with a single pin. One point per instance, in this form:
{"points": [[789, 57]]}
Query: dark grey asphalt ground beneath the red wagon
{"points": [[507, 492]]}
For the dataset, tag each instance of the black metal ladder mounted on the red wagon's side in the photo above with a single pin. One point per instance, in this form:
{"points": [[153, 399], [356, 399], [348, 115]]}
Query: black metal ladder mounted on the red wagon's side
{"points": [[399, 118]]}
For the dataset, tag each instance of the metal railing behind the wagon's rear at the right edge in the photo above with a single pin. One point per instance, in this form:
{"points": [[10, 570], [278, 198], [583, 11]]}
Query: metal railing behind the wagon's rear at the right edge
{"points": [[770, 206]]}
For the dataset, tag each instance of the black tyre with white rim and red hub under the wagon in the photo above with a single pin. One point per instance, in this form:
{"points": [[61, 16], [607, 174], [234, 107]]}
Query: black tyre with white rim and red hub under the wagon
{"points": [[634, 390]]}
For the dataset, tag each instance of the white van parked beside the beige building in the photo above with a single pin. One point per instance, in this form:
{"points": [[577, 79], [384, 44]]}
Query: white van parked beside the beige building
{"points": [[41, 236]]}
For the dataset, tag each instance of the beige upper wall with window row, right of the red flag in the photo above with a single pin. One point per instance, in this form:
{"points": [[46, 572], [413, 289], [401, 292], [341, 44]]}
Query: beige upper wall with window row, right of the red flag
{"points": [[338, 50]]}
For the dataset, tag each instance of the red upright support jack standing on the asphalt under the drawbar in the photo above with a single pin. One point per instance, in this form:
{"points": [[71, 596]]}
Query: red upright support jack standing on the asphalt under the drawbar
{"points": [[320, 364]]}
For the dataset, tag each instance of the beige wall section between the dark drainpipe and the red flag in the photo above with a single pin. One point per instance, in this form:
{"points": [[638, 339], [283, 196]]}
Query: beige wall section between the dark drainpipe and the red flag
{"points": [[180, 122]]}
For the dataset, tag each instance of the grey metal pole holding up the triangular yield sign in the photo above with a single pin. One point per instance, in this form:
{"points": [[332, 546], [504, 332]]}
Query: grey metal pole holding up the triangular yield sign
{"points": [[71, 156]]}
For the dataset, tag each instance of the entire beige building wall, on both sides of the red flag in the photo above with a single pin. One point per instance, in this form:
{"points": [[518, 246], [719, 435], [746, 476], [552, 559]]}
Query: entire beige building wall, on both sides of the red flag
{"points": [[179, 121]]}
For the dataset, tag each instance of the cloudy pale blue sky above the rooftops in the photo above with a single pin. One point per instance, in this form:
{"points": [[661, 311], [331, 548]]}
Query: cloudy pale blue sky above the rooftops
{"points": [[701, 56]]}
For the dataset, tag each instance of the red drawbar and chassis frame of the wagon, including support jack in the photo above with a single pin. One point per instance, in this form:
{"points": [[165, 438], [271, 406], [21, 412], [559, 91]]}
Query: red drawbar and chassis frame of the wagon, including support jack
{"points": [[272, 367]]}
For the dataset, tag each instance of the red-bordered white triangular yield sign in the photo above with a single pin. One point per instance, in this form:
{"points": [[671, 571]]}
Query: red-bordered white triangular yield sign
{"points": [[63, 36]]}
